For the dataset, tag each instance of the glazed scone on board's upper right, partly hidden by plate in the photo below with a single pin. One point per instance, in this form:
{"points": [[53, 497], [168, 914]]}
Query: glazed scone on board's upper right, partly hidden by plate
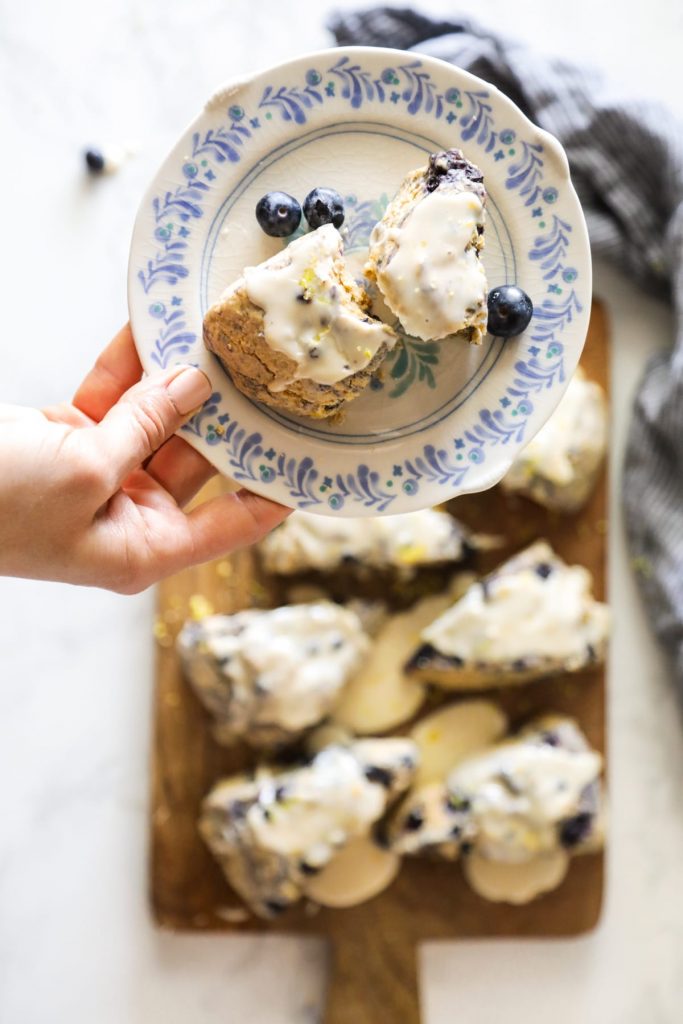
{"points": [[560, 467]]}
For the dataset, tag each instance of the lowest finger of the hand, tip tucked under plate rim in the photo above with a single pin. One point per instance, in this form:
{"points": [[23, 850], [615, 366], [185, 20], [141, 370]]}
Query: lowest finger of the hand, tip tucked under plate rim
{"points": [[231, 522]]}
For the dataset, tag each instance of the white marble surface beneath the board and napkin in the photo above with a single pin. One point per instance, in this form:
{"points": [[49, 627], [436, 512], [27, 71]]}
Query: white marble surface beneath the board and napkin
{"points": [[76, 944]]}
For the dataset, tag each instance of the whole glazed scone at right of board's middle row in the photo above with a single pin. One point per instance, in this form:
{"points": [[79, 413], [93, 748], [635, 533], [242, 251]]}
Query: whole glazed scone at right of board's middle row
{"points": [[533, 617]]}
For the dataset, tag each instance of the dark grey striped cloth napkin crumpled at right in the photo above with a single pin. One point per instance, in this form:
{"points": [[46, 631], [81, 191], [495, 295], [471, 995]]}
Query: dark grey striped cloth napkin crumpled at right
{"points": [[627, 165]]}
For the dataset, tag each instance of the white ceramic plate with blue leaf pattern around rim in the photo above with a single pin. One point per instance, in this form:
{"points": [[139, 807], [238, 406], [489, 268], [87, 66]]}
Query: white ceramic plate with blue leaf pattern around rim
{"points": [[441, 419]]}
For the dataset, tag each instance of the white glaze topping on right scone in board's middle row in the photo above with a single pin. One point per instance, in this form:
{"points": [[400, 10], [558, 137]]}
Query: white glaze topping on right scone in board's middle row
{"points": [[534, 608]]}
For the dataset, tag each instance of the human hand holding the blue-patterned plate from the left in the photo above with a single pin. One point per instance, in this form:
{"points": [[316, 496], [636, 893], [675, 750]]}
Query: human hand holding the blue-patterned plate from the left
{"points": [[93, 492]]}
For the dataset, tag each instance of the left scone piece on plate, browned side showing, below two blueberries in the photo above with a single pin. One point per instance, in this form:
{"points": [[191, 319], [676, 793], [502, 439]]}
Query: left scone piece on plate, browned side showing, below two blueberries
{"points": [[295, 332]]}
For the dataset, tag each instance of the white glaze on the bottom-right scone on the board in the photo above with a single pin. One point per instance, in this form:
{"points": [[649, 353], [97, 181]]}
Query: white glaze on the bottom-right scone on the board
{"points": [[520, 792]]}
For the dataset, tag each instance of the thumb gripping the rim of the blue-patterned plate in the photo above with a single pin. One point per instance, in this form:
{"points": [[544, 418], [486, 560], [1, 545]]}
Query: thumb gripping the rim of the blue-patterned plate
{"points": [[148, 415]]}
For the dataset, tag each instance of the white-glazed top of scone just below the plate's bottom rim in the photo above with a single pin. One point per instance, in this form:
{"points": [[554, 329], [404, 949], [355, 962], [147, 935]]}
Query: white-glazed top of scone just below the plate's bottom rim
{"points": [[307, 542]]}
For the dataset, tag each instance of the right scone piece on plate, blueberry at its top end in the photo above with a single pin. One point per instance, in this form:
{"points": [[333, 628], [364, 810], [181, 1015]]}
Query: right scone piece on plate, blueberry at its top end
{"points": [[425, 252]]}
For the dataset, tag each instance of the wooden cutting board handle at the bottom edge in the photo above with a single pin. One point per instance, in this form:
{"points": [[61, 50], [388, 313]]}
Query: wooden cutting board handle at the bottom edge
{"points": [[373, 980]]}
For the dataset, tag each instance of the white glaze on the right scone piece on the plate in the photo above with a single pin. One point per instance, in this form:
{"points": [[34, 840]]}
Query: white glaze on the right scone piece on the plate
{"points": [[436, 275]]}
